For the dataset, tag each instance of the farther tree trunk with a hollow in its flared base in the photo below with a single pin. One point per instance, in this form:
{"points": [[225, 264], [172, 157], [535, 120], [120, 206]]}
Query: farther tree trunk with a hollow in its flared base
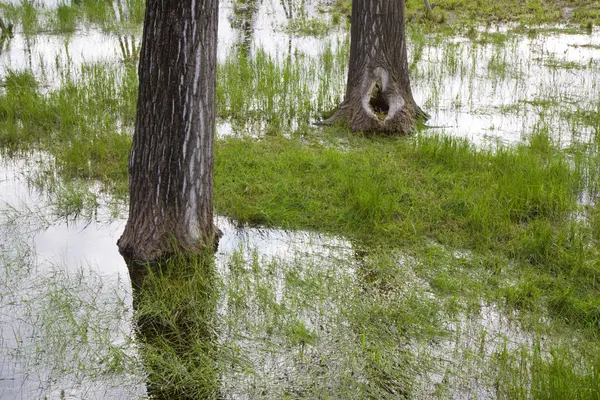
{"points": [[378, 94]]}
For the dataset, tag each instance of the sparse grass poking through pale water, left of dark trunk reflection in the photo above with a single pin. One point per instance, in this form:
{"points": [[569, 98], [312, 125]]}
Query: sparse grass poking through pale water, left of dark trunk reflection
{"points": [[65, 329]]}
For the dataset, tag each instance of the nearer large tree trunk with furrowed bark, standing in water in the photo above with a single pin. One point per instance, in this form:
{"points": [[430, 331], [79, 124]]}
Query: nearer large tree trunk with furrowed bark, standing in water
{"points": [[171, 161]]}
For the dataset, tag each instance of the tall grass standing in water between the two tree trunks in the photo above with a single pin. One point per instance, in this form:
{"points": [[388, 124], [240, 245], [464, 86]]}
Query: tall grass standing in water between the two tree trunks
{"points": [[264, 93]]}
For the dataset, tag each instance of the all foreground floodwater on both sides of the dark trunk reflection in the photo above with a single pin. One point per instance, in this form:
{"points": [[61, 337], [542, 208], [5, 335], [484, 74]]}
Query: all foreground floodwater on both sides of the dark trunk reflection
{"points": [[66, 310]]}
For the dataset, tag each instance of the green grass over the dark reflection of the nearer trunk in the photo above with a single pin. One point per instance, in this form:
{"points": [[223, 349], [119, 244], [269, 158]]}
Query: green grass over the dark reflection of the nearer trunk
{"points": [[175, 312]]}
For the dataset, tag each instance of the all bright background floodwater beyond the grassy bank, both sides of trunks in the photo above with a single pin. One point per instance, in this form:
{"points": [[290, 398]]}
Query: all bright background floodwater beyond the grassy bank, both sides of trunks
{"points": [[497, 88]]}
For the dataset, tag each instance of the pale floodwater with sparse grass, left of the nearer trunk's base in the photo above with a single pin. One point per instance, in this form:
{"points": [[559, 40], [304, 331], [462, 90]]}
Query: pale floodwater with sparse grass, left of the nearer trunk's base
{"points": [[65, 303]]}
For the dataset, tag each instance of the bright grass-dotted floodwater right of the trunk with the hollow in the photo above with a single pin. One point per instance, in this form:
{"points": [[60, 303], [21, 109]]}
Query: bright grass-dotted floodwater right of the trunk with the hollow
{"points": [[498, 91]]}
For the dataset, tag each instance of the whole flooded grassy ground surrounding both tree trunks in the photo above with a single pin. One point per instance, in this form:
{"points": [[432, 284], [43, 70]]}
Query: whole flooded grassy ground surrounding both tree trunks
{"points": [[386, 291]]}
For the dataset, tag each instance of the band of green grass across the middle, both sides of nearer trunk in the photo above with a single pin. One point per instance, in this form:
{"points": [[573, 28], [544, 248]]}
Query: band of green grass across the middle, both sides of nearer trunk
{"points": [[518, 202]]}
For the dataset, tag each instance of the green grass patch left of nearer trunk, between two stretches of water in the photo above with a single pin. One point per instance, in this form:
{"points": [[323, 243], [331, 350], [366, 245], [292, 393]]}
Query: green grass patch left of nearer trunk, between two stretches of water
{"points": [[85, 124]]}
